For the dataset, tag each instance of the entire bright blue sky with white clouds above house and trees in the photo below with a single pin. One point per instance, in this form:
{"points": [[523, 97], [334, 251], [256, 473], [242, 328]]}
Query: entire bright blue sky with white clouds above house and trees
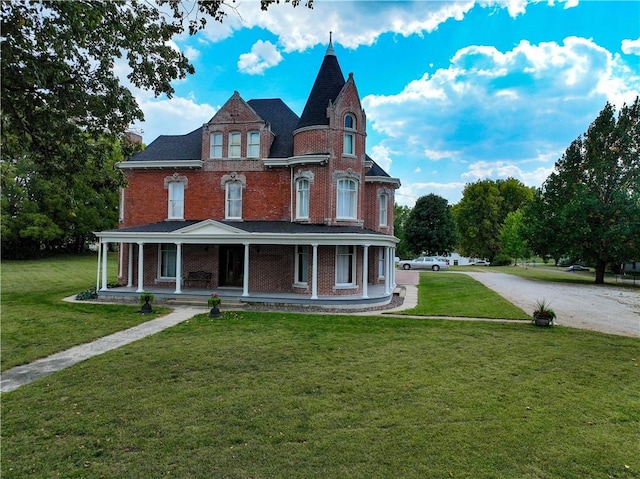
{"points": [[454, 91]]}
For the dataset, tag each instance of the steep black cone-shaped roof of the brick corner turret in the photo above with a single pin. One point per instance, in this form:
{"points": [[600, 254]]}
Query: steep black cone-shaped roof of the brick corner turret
{"points": [[327, 86]]}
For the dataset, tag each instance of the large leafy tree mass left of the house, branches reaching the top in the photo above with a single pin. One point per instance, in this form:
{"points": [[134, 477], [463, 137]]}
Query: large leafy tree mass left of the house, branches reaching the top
{"points": [[62, 101]]}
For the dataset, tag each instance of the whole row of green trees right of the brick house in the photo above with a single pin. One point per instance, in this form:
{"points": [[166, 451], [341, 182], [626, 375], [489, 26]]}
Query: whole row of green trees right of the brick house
{"points": [[587, 210]]}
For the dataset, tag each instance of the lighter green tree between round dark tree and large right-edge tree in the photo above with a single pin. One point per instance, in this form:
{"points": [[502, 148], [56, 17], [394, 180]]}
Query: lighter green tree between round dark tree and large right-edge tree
{"points": [[482, 211]]}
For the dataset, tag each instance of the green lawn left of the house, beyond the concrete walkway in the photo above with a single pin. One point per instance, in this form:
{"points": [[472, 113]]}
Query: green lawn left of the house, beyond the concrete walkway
{"points": [[35, 321]]}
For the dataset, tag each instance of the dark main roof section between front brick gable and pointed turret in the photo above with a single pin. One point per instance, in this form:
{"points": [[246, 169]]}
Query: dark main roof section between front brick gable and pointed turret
{"points": [[283, 121]]}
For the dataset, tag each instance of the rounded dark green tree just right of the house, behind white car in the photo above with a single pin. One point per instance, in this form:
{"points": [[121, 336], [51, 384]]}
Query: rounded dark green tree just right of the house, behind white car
{"points": [[430, 227]]}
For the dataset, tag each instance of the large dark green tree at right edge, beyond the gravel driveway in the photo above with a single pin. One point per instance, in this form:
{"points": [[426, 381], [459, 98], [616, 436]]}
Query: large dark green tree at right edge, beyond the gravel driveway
{"points": [[592, 200]]}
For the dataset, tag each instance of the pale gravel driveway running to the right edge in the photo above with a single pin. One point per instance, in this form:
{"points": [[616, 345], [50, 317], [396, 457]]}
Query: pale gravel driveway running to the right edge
{"points": [[605, 309]]}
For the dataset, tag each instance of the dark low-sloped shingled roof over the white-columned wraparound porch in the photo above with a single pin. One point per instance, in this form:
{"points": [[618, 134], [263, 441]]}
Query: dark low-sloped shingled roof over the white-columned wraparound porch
{"points": [[280, 227]]}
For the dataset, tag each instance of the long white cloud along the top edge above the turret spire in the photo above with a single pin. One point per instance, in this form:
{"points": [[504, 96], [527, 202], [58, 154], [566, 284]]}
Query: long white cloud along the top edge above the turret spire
{"points": [[354, 23]]}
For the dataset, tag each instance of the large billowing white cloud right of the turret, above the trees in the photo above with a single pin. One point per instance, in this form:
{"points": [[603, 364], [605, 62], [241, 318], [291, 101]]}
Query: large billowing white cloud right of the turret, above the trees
{"points": [[497, 109]]}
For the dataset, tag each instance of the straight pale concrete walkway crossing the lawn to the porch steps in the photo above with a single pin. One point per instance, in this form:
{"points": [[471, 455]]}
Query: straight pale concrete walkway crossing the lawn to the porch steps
{"points": [[14, 378]]}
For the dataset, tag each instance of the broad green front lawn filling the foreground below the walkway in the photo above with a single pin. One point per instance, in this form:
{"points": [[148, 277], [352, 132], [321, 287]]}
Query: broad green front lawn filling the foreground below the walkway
{"points": [[275, 395]]}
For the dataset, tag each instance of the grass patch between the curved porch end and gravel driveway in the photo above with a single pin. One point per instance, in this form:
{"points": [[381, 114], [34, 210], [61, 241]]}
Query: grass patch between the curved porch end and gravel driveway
{"points": [[450, 294]]}
